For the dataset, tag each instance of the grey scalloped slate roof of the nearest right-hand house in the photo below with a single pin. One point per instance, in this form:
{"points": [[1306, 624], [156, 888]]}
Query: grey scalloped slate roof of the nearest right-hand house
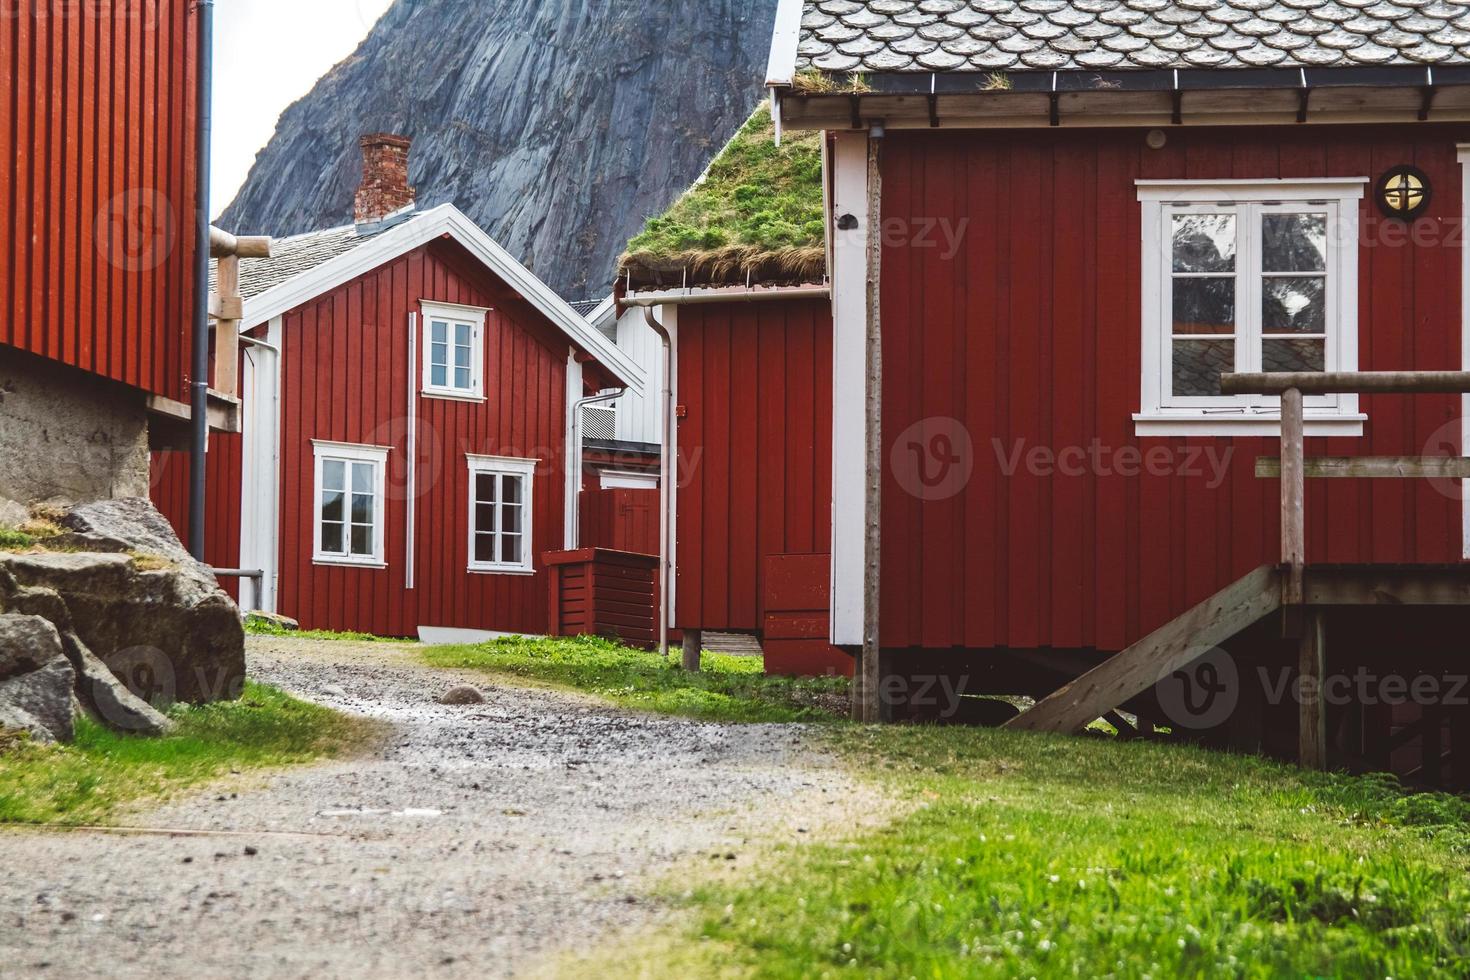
{"points": [[987, 36]]}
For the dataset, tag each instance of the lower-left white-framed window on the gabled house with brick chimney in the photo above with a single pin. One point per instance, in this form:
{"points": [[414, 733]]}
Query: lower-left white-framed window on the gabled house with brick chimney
{"points": [[349, 509]]}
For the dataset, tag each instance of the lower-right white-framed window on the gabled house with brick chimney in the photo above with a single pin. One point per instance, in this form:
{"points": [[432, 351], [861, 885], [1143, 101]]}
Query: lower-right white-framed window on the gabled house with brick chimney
{"points": [[501, 494]]}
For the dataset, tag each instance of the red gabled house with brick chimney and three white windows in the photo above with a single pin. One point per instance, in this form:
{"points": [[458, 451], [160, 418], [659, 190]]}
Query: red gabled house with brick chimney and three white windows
{"points": [[408, 392]]}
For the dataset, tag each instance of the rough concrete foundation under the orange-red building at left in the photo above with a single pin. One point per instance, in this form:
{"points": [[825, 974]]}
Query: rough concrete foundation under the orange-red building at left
{"points": [[68, 437]]}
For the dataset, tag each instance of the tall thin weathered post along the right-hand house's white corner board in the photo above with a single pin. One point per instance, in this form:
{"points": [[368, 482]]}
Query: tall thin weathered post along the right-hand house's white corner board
{"points": [[868, 705]]}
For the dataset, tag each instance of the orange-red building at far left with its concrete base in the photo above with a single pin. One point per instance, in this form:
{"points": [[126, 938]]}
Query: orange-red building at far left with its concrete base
{"points": [[98, 148]]}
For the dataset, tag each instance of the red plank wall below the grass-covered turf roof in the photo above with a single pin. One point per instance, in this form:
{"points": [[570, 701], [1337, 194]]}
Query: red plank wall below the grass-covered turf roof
{"points": [[755, 452]]}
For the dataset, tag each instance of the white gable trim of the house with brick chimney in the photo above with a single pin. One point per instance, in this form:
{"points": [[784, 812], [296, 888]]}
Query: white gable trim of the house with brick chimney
{"points": [[446, 220]]}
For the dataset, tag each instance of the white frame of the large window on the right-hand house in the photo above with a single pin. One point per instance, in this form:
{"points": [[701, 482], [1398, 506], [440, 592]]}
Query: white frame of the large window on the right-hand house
{"points": [[1164, 414]]}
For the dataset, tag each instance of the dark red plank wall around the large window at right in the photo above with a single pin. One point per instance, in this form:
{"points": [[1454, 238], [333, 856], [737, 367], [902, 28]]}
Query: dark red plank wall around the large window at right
{"points": [[1033, 333]]}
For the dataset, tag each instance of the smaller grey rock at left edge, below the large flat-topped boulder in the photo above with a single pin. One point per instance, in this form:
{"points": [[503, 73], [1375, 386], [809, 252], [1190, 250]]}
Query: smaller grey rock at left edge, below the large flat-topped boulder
{"points": [[36, 680]]}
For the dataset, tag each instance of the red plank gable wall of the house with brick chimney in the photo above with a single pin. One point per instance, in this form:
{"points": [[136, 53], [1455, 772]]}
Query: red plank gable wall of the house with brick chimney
{"points": [[346, 380]]}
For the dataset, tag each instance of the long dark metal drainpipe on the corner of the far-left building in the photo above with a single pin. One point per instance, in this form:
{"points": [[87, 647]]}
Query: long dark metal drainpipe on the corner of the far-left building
{"points": [[199, 381]]}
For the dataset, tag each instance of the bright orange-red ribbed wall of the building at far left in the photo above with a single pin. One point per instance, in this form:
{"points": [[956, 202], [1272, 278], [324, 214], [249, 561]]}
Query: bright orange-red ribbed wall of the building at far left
{"points": [[98, 162]]}
